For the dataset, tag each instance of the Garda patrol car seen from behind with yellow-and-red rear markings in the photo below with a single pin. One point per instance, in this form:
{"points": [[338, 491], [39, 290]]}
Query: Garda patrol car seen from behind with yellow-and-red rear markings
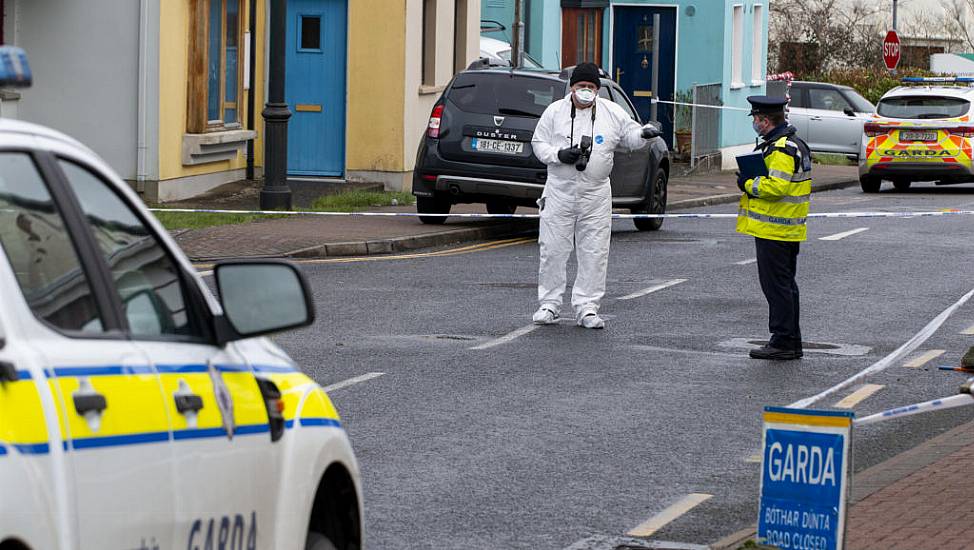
{"points": [[921, 132]]}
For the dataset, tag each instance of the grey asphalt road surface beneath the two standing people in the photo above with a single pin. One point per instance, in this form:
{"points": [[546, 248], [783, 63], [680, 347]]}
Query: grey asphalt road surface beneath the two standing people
{"points": [[562, 434]]}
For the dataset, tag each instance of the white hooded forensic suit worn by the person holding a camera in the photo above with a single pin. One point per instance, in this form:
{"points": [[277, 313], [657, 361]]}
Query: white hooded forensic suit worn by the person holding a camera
{"points": [[576, 207]]}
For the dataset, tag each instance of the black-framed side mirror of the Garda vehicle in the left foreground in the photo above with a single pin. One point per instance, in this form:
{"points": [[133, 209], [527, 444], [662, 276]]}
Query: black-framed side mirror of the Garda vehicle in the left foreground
{"points": [[260, 297]]}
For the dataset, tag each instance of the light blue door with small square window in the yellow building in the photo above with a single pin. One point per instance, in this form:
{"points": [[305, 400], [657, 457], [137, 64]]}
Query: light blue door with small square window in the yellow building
{"points": [[316, 35]]}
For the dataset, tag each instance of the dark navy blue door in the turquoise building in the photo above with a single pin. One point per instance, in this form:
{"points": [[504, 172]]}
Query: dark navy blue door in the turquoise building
{"points": [[632, 58]]}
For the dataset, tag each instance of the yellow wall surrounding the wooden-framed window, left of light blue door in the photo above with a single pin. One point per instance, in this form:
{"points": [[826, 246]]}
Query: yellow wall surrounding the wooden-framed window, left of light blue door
{"points": [[174, 70]]}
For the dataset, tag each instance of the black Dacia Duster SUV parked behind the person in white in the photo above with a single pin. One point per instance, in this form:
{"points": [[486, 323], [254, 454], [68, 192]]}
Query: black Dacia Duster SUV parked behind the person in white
{"points": [[477, 147]]}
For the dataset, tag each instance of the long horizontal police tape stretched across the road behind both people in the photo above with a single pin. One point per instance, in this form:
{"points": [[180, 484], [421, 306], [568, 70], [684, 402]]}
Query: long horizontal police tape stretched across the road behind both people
{"points": [[616, 216]]}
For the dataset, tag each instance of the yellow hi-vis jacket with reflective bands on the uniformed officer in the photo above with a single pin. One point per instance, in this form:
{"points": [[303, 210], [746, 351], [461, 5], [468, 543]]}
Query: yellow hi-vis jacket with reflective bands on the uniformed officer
{"points": [[776, 206]]}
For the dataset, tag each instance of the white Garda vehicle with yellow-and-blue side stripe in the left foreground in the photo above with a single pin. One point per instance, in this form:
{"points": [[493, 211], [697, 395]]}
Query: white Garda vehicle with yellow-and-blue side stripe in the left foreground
{"points": [[138, 411]]}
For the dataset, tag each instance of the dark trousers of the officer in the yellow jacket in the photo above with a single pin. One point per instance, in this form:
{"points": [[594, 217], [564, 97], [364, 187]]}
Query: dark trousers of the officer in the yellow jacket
{"points": [[777, 264]]}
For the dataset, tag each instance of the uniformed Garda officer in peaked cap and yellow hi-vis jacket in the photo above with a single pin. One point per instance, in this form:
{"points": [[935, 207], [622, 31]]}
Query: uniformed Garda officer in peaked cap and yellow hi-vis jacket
{"points": [[773, 210]]}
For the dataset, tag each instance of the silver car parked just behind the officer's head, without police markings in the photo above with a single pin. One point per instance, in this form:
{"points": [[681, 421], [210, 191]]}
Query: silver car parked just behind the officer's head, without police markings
{"points": [[829, 117]]}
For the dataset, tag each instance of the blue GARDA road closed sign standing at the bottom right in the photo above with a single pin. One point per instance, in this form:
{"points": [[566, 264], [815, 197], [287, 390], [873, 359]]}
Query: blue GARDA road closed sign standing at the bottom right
{"points": [[804, 478]]}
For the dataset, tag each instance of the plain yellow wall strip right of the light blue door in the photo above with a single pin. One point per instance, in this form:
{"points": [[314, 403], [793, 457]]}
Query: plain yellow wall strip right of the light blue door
{"points": [[376, 81]]}
